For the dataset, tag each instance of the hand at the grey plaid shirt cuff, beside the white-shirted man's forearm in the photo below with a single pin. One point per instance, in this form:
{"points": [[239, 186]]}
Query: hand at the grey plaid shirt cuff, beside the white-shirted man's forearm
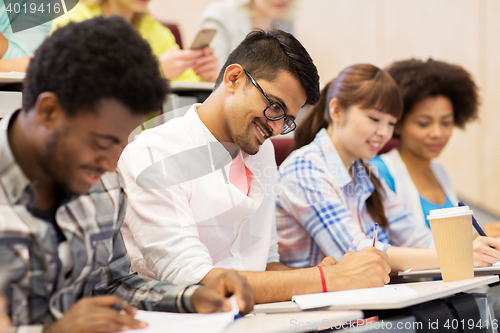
{"points": [[213, 296]]}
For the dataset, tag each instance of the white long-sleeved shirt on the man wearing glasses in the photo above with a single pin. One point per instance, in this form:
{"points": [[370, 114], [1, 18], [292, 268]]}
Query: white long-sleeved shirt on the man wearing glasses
{"points": [[179, 232]]}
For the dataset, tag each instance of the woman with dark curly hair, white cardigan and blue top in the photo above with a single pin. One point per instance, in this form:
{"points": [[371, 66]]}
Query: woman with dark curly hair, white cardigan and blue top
{"points": [[437, 96]]}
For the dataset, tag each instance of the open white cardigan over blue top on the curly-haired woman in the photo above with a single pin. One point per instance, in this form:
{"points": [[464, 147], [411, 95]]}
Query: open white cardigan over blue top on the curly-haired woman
{"points": [[405, 188]]}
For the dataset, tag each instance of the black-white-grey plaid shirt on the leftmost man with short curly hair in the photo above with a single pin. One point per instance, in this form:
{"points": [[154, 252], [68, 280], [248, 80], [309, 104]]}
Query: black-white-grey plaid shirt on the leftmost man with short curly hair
{"points": [[31, 256]]}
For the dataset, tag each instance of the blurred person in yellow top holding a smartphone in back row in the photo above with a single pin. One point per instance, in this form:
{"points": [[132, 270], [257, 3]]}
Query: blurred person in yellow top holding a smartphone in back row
{"points": [[176, 64]]}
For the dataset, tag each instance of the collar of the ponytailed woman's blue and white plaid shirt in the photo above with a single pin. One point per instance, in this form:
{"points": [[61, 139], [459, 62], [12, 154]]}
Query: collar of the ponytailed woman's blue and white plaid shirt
{"points": [[337, 168]]}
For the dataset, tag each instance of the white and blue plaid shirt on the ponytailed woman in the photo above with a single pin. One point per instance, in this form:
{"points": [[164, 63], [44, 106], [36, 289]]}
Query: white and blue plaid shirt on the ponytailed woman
{"points": [[322, 210]]}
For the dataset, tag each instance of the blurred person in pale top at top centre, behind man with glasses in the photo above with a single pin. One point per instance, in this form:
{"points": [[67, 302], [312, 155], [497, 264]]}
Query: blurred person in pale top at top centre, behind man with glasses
{"points": [[234, 19]]}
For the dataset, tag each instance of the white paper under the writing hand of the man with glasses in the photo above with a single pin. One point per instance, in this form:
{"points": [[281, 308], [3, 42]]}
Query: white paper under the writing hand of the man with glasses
{"points": [[354, 297]]}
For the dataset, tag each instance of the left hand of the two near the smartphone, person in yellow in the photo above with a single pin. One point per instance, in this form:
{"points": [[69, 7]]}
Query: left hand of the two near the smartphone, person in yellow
{"points": [[174, 62]]}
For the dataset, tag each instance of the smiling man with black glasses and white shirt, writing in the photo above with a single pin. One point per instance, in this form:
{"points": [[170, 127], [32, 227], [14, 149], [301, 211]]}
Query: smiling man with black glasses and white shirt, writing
{"points": [[202, 188]]}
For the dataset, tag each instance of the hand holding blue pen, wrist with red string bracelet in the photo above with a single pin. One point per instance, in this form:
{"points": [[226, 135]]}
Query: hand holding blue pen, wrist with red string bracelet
{"points": [[364, 269]]}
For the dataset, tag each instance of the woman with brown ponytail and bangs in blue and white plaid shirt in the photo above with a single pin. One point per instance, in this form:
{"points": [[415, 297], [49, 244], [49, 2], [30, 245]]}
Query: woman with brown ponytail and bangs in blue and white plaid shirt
{"points": [[330, 199]]}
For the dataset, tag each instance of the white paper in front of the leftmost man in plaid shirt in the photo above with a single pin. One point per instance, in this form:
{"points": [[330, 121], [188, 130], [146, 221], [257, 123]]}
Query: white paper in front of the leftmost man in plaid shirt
{"points": [[167, 322]]}
